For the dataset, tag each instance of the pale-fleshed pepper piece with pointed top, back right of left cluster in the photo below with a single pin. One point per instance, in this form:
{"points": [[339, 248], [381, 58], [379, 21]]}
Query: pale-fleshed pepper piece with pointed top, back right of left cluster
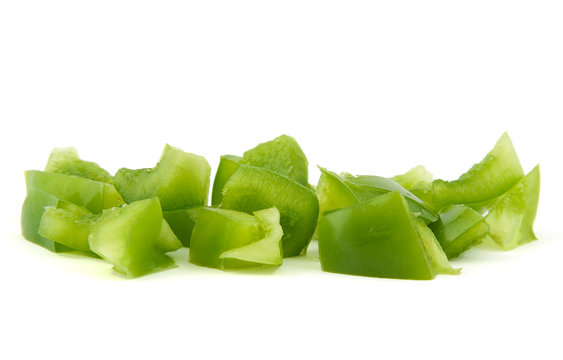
{"points": [[180, 180]]}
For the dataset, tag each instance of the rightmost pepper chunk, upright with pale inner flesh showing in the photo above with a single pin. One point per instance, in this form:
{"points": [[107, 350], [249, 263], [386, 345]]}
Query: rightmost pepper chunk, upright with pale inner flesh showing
{"points": [[511, 216]]}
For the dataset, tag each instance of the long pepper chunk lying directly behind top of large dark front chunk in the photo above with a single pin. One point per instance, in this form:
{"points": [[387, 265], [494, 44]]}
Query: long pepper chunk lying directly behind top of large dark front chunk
{"points": [[337, 191]]}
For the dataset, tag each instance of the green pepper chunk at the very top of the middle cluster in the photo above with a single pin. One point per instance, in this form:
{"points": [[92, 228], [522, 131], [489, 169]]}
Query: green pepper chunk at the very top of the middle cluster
{"points": [[282, 155]]}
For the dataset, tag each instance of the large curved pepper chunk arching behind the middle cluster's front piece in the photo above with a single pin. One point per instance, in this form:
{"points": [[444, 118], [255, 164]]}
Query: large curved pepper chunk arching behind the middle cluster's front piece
{"points": [[250, 189]]}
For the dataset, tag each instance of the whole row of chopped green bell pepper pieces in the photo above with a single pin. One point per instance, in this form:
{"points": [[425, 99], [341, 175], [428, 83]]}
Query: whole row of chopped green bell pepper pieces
{"points": [[263, 209]]}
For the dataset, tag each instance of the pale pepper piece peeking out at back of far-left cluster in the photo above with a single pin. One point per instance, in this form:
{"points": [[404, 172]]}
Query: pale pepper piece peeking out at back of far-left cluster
{"points": [[66, 161]]}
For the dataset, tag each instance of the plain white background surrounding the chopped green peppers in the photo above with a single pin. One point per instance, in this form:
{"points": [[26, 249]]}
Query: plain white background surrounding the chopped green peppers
{"points": [[372, 87]]}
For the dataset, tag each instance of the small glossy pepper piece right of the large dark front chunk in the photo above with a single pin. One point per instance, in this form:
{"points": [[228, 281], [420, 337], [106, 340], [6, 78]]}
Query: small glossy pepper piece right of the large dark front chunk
{"points": [[459, 228]]}
